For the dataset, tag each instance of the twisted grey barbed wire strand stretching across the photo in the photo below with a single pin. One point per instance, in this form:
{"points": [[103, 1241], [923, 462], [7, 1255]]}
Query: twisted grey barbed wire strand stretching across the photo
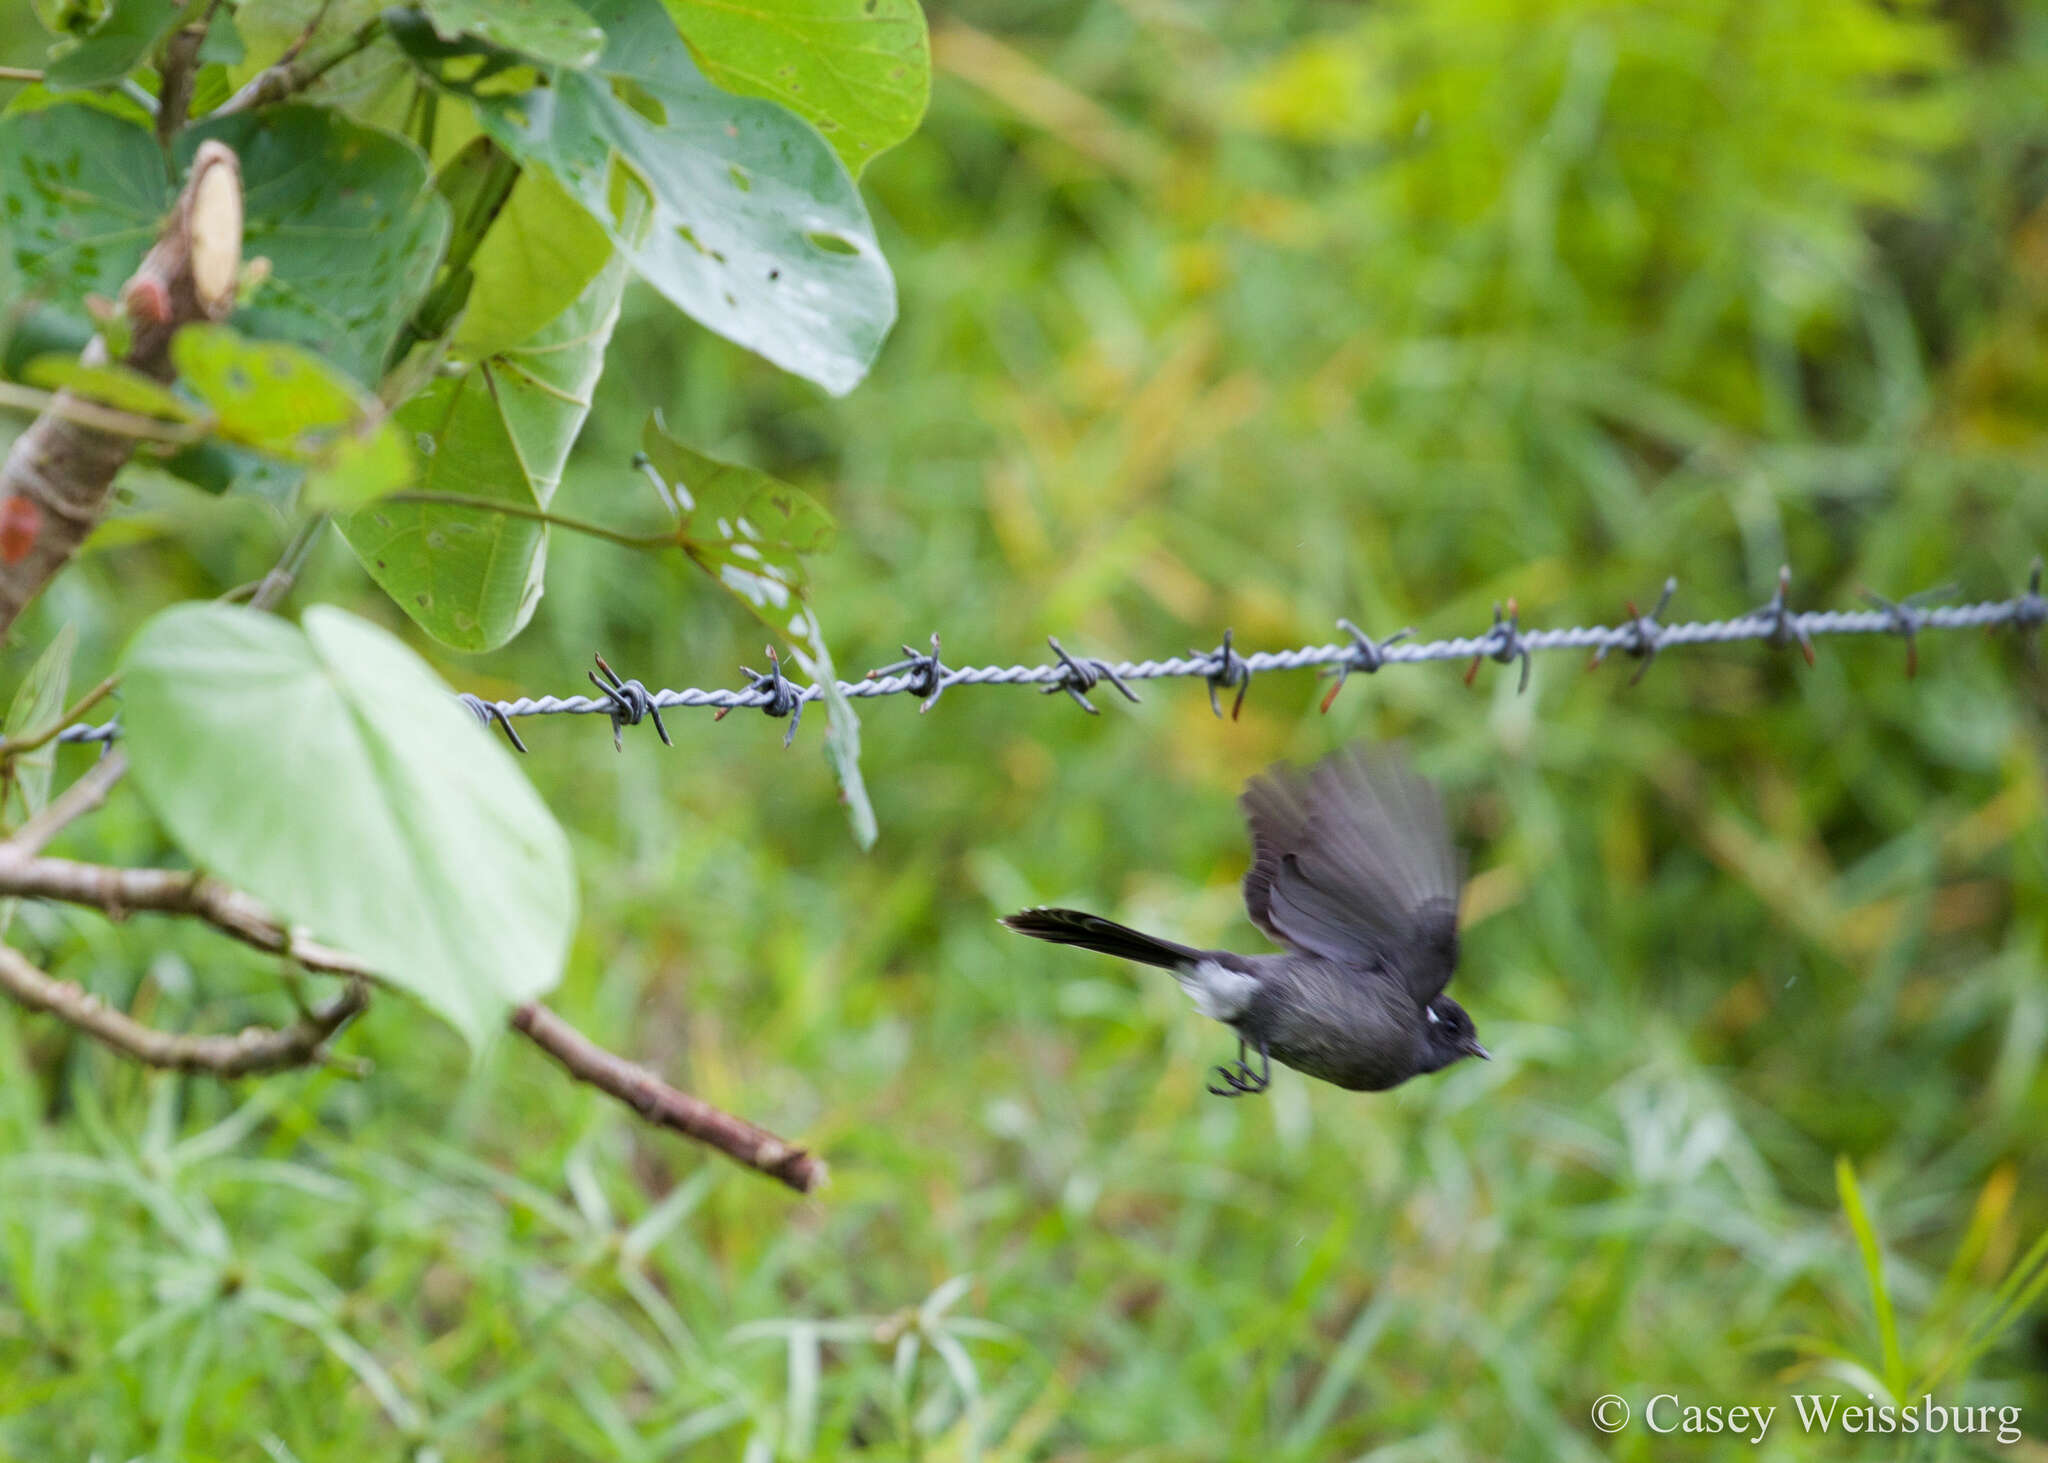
{"points": [[925, 675]]}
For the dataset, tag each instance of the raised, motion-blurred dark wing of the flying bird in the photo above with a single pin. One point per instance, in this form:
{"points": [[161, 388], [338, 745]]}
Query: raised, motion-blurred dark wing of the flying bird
{"points": [[1353, 862]]}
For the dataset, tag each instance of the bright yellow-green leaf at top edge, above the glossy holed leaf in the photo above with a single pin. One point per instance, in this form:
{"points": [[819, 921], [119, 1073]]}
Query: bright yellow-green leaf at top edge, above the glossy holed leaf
{"points": [[859, 71]]}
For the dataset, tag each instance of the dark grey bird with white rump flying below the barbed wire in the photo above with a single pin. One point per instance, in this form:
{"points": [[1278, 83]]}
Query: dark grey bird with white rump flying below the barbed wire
{"points": [[1355, 874]]}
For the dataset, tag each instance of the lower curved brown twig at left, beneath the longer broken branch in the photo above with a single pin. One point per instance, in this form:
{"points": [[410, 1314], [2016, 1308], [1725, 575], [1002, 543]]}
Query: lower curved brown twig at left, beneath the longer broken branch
{"points": [[226, 1056]]}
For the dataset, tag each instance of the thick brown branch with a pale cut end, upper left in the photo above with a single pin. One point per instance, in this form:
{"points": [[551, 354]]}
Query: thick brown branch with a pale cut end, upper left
{"points": [[56, 476]]}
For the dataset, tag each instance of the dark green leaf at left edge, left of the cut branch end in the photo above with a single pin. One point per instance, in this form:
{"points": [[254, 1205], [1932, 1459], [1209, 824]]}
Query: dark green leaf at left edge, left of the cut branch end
{"points": [[81, 200]]}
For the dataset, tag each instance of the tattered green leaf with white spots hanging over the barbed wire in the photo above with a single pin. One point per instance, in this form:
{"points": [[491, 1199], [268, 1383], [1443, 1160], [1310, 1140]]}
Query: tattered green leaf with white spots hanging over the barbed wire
{"points": [[749, 532]]}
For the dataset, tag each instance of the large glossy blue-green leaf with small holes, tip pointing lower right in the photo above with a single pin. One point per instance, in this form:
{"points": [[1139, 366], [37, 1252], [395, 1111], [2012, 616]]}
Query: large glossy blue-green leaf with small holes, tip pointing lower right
{"points": [[757, 231]]}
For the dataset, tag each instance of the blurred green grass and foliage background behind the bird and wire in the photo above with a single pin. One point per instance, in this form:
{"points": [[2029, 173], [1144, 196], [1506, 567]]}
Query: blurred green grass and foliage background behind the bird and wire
{"points": [[1213, 315]]}
